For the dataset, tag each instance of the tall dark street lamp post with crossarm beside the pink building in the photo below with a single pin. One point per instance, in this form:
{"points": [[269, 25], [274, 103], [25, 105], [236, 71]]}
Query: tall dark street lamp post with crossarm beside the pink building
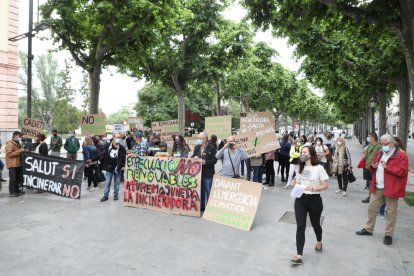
{"points": [[30, 34]]}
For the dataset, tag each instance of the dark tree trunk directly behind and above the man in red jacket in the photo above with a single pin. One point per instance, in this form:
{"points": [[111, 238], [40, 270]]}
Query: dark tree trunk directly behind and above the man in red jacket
{"points": [[404, 108]]}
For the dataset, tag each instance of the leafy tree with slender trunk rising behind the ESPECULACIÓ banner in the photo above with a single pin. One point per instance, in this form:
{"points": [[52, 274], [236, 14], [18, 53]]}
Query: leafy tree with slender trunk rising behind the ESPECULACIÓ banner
{"points": [[181, 49]]}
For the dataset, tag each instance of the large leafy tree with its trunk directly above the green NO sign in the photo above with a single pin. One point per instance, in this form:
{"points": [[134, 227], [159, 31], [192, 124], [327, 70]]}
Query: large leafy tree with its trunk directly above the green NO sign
{"points": [[94, 31]]}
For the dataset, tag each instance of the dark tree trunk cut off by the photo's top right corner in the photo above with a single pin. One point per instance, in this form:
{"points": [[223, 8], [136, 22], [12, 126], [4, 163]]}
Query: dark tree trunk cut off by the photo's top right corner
{"points": [[407, 37]]}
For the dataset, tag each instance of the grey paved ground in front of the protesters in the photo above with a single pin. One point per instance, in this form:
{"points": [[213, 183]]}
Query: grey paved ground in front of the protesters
{"points": [[42, 234]]}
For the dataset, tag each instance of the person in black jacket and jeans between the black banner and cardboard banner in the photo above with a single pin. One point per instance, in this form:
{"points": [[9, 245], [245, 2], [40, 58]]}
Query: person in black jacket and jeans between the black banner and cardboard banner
{"points": [[114, 160]]}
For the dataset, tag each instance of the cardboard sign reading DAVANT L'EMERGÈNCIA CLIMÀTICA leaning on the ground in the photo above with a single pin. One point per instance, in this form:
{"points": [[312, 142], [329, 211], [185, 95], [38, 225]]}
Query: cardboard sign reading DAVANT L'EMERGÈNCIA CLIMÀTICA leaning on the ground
{"points": [[233, 202]]}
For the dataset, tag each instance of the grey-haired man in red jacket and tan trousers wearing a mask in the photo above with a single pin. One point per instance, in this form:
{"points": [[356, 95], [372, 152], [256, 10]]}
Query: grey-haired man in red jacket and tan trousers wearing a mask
{"points": [[389, 179]]}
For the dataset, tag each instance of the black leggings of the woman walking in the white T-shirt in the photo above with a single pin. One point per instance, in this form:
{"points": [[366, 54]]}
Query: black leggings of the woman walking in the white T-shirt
{"points": [[313, 205]]}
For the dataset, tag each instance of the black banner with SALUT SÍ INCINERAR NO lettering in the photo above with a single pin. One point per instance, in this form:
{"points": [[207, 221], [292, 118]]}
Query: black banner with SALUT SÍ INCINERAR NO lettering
{"points": [[55, 175]]}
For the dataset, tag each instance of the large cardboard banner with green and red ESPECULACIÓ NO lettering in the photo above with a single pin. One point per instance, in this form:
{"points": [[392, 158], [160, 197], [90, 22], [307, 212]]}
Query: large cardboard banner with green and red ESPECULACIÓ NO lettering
{"points": [[170, 185]]}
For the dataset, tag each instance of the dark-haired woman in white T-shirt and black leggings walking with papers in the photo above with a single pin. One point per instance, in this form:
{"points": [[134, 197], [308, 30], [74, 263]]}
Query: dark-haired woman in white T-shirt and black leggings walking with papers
{"points": [[313, 179]]}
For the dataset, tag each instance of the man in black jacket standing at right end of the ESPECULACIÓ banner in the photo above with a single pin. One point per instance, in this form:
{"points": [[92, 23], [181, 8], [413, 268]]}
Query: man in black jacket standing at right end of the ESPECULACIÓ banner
{"points": [[207, 153]]}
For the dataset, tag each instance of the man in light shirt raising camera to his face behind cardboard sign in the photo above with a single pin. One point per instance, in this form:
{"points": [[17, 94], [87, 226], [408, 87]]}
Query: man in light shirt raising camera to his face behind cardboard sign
{"points": [[232, 156]]}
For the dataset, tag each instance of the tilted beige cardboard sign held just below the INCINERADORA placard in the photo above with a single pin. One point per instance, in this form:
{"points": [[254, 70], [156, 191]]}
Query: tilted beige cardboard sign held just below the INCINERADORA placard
{"points": [[258, 141]]}
